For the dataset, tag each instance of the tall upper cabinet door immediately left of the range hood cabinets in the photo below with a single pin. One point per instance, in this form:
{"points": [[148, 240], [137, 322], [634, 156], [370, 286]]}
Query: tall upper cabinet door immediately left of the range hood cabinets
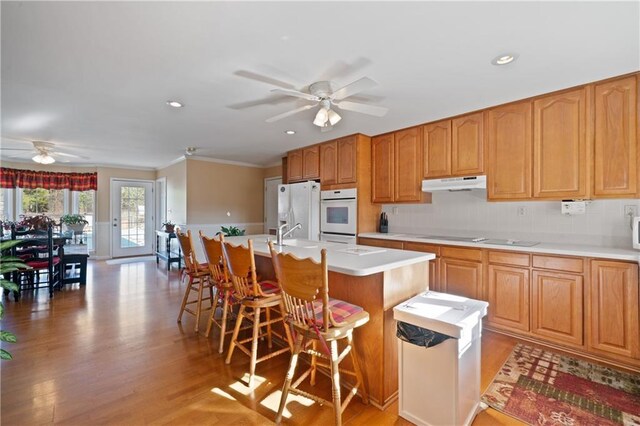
{"points": [[408, 165]]}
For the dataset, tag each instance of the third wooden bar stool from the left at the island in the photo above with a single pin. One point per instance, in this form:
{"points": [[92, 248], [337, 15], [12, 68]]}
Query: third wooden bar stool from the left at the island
{"points": [[255, 297]]}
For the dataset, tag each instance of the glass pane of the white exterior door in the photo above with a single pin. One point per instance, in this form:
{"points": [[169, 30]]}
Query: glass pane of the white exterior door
{"points": [[132, 217]]}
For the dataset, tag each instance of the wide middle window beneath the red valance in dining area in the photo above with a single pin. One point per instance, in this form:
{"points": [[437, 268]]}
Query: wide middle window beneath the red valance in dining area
{"points": [[52, 202]]}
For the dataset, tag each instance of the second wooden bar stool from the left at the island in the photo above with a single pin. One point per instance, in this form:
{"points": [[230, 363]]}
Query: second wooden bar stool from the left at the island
{"points": [[224, 287]]}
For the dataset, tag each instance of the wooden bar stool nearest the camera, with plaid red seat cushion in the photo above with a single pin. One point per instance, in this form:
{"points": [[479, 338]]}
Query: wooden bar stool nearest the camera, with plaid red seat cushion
{"points": [[318, 323]]}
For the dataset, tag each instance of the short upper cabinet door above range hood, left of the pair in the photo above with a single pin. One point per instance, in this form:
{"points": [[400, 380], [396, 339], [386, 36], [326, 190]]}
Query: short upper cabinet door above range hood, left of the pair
{"points": [[436, 149]]}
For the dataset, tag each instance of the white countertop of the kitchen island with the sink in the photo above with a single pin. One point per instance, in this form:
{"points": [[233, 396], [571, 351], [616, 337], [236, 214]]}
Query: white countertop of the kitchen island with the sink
{"points": [[343, 258]]}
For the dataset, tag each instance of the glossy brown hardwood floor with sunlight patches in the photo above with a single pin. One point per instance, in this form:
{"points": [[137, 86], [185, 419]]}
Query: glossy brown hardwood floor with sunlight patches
{"points": [[112, 353]]}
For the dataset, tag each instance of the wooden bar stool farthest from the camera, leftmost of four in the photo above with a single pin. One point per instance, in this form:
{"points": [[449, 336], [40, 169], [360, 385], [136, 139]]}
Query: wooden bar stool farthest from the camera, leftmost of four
{"points": [[198, 279]]}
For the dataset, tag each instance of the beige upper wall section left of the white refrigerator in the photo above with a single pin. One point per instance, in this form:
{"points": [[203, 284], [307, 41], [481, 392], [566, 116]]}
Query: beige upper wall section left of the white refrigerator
{"points": [[213, 189]]}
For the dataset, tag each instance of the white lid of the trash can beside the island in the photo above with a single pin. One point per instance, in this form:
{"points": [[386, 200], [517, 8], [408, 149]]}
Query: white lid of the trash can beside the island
{"points": [[444, 313]]}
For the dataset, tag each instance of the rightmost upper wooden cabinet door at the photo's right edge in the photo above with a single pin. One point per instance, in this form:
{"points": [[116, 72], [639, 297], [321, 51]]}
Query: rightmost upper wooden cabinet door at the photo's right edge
{"points": [[615, 160]]}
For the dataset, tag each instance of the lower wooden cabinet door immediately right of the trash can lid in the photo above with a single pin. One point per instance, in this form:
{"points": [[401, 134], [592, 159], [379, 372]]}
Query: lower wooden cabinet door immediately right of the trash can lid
{"points": [[508, 296]]}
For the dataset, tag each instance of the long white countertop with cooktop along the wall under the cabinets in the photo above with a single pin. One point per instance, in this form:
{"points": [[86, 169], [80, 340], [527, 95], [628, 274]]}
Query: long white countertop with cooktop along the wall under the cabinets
{"points": [[550, 248]]}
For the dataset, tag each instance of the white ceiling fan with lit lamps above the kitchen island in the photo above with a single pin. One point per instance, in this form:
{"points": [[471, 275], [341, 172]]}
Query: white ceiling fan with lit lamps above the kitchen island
{"points": [[321, 93]]}
